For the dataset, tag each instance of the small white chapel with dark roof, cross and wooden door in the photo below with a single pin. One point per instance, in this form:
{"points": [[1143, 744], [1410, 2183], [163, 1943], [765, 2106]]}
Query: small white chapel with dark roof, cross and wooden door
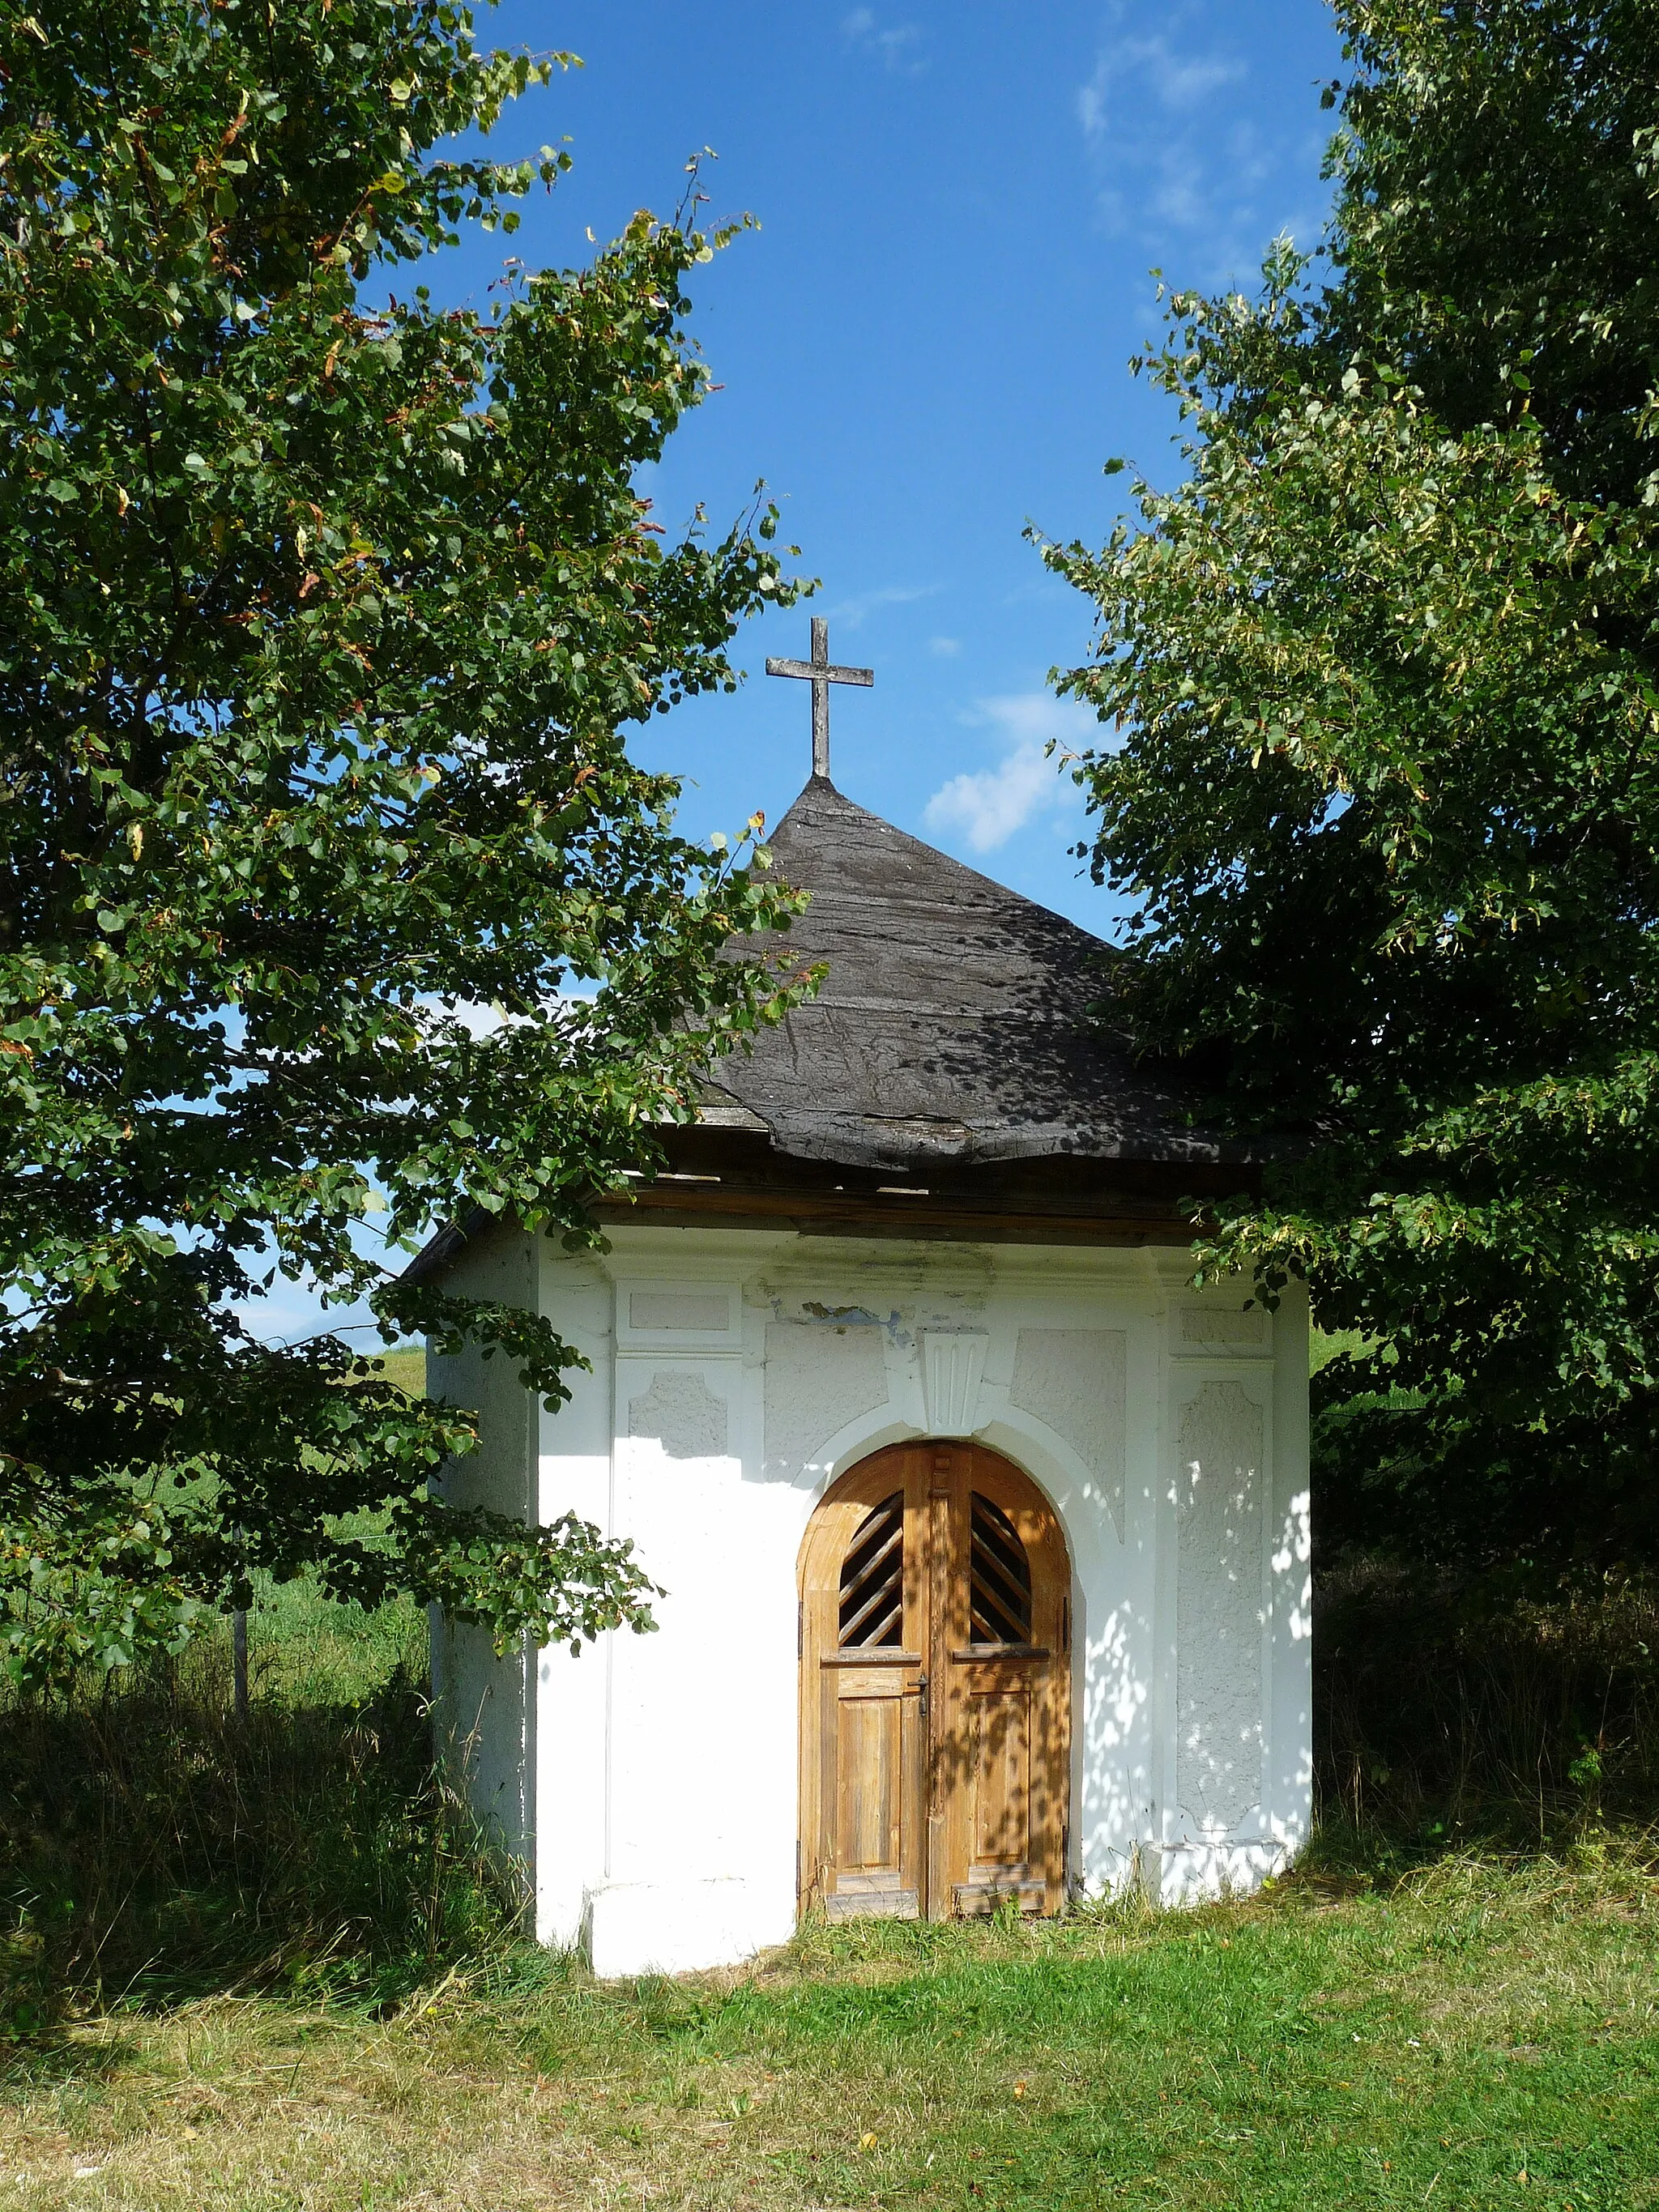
{"points": [[983, 1534]]}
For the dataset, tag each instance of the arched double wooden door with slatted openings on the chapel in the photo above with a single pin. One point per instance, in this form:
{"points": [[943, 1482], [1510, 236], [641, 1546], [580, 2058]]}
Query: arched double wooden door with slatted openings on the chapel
{"points": [[935, 1689]]}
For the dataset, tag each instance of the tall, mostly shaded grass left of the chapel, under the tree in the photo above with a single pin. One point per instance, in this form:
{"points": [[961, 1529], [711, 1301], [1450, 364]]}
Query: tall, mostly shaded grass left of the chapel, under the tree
{"points": [[156, 1848]]}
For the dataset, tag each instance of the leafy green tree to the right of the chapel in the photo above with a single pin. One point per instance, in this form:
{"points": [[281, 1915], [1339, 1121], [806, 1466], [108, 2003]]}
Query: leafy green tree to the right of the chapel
{"points": [[1388, 784]]}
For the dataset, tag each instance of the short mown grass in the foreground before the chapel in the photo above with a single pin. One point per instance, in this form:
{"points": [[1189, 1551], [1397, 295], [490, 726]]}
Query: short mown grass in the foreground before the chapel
{"points": [[1472, 2036]]}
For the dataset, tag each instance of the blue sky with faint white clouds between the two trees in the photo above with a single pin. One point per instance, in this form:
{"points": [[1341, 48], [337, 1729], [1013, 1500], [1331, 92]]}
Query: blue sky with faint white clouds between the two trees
{"points": [[924, 348]]}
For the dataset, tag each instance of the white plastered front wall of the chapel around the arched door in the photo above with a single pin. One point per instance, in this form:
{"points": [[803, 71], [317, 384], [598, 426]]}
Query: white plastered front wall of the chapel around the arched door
{"points": [[735, 1375]]}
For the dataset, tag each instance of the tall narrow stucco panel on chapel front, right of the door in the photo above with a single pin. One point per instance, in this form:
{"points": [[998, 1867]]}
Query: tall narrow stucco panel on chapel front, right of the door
{"points": [[1220, 1631]]}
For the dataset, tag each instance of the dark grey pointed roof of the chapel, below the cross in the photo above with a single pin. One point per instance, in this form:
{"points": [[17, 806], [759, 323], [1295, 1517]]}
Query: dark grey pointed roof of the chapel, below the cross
{"points": [[952, 1023]]}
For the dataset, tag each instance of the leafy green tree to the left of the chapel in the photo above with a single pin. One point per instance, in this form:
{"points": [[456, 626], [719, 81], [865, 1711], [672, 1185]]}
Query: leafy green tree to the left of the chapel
{"points": [[324, 616]]}
